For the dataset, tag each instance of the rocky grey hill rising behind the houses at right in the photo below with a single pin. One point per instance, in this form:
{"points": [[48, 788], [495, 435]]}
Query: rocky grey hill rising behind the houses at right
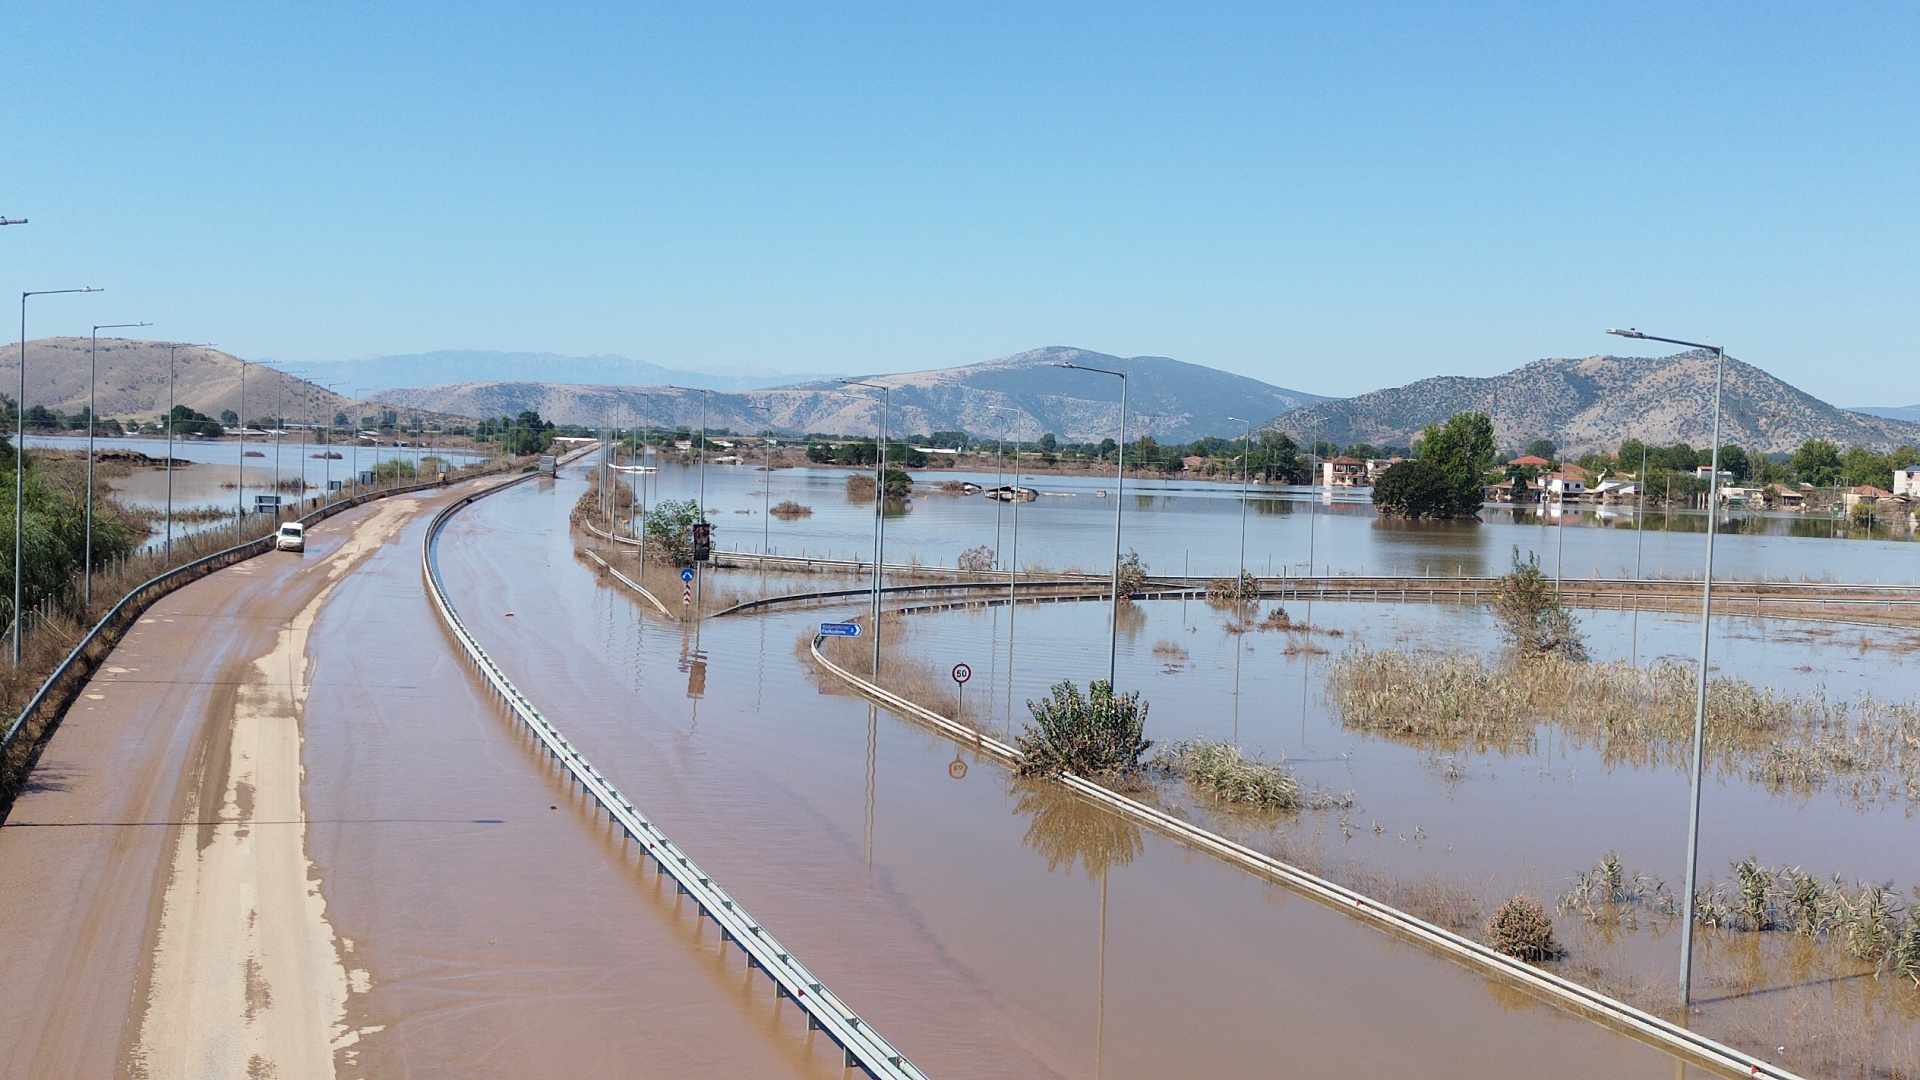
{"points": [[1596, 403]]}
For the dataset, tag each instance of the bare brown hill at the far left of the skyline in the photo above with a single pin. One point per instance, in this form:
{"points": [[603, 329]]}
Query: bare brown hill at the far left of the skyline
{"points": [[133, 381]]}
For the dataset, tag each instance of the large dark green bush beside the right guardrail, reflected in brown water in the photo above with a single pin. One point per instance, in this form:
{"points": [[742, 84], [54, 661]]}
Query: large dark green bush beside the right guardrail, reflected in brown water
{"points": [[1088, 735]]}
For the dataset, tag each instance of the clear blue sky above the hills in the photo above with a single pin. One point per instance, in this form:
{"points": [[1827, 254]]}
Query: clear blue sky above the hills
{"points": [[1333, 201]]}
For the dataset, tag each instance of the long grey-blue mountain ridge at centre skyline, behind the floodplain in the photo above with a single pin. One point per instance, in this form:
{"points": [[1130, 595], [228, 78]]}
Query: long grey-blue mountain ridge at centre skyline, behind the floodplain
{"points": [[1019, 397]]}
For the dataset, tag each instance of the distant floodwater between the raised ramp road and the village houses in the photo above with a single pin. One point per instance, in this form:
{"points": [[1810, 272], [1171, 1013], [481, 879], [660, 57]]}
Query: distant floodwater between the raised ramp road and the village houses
{"points": [[1195, 528]]}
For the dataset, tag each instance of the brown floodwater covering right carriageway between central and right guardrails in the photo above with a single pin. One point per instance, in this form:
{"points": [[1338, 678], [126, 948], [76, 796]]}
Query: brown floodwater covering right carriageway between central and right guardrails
{"points": [[986, 927]]}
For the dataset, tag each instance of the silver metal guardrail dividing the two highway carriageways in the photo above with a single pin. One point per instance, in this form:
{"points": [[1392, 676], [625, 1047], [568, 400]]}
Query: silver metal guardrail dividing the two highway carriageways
{"points": [[859, 1043]]}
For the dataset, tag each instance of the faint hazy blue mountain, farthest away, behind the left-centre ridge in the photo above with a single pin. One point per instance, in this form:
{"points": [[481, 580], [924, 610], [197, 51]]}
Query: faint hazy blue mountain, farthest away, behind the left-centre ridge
{"points": [[379, 374]]}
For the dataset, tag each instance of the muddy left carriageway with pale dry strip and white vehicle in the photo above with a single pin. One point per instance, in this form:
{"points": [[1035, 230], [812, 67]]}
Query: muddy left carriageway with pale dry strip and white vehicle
{"points": [[285, 835]]}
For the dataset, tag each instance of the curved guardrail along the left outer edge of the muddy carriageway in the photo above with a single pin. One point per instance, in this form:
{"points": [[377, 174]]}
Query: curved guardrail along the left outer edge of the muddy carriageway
{"points": [[66, 679]]}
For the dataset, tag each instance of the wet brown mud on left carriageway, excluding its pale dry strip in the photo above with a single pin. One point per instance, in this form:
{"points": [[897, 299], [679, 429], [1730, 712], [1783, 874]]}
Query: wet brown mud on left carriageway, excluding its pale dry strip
{"points": [[502, 933]]}
